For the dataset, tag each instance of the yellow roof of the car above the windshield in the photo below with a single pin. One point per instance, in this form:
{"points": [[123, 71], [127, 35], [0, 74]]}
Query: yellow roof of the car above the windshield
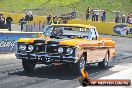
{"points": [[73, 25]]}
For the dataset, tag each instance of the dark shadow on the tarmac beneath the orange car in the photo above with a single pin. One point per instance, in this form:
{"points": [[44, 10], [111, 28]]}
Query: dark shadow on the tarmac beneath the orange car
{"points": [[58, 72]]}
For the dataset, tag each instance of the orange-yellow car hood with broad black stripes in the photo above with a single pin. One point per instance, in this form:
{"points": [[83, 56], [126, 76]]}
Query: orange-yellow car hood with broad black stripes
{"points": [[65, 41]]}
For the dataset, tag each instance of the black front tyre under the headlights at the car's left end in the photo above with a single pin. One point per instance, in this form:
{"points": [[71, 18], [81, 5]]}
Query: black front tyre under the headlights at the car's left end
{"points": [[28, 66]]}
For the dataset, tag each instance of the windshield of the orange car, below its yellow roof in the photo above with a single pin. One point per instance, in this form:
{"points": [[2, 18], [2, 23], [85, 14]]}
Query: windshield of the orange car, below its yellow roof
{"points": [[59, 31]]}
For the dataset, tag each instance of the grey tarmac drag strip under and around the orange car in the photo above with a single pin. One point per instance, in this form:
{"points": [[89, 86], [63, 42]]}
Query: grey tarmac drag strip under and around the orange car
{"points": [[13, 76]]}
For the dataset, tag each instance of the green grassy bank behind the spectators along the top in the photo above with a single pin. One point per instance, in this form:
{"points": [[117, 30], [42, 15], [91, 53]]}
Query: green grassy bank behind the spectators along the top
{"points": [[57, 7]]}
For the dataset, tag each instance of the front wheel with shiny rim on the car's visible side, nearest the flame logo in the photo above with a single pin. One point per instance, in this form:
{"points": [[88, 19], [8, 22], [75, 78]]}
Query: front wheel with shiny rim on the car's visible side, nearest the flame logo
{"points": [[77, 67]]}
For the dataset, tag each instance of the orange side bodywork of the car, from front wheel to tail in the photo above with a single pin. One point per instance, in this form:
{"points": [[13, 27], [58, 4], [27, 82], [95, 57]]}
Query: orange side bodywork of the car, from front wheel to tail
{"points": [[97, 49]]}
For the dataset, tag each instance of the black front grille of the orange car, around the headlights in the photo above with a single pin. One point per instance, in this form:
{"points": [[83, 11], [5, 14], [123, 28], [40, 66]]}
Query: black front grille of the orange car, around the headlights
{"points": [[42, 48]]}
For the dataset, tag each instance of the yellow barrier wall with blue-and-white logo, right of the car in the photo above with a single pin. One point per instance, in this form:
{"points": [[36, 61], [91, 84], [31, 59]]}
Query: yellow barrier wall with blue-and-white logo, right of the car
{"points": [[109, 28]]}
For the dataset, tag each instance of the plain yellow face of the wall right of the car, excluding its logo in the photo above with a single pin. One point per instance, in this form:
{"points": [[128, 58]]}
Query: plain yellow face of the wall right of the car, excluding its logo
{"points": [[102, 27]]}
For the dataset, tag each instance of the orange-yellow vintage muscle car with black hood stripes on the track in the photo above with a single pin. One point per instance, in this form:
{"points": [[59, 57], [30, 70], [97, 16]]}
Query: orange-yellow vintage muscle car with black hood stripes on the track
{"points": [[74, 44]]}
